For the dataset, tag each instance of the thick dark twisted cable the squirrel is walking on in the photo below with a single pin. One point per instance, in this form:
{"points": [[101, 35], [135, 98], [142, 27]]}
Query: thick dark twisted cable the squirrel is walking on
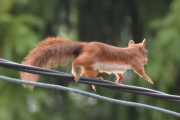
{"points": [[90, 81]]}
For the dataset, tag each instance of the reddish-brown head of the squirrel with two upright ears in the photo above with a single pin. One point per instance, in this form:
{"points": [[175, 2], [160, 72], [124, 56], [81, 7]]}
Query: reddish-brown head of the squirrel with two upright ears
{"points": [[141, 48]]}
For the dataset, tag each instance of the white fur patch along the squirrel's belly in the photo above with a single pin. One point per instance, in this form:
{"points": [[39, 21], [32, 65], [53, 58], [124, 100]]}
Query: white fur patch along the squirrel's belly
{"points": [[110, 68]]}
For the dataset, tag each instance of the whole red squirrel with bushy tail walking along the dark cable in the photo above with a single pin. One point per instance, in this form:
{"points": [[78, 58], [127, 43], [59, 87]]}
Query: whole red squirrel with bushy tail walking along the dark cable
{"points": [[91, 57]]}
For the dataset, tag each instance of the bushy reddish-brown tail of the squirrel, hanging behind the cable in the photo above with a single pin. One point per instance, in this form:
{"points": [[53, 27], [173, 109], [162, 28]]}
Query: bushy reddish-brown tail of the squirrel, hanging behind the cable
{"points": [[50, 52]]}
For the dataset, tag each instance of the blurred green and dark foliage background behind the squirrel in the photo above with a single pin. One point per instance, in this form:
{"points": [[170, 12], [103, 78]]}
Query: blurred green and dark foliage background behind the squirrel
{"points": [[23, 23]]}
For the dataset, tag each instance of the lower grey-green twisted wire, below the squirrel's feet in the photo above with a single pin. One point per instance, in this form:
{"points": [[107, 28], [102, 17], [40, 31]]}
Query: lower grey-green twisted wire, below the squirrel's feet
{"points": [[58, 87]]}
